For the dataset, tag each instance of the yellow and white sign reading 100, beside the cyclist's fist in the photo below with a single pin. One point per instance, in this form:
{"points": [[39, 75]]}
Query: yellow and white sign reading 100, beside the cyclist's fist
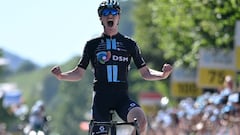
{"points": [[183, 83]]}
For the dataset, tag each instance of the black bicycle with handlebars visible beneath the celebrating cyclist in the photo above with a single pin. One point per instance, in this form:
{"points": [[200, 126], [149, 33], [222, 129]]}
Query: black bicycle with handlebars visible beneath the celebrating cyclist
{"points": [[113, 124]]}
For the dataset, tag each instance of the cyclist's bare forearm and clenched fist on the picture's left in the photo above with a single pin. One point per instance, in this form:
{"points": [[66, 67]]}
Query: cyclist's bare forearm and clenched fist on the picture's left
{"points": [[72, 75]]}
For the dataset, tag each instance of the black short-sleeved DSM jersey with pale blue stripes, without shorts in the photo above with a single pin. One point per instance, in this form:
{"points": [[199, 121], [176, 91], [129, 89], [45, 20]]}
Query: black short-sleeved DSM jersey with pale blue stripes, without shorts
{"points": [[110, 58]]}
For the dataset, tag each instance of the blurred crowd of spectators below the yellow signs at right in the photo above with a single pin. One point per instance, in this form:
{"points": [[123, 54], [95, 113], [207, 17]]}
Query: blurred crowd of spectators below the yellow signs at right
{"points": [[212, 113]]}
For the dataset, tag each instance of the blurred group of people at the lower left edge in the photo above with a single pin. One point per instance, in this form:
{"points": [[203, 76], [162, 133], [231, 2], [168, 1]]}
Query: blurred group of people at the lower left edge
{"points": [[34, 121]]}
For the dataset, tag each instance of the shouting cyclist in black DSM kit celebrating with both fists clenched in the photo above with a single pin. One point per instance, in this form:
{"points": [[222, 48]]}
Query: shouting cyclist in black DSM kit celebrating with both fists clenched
{"points": [[110, 55]]}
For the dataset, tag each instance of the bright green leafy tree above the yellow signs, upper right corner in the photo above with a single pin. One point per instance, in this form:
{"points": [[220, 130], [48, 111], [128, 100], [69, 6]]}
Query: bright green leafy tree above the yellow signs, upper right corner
{"points": [[176, 29]]}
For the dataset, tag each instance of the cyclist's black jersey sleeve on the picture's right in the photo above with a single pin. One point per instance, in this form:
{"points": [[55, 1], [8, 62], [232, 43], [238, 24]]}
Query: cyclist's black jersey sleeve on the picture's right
{"points": [[137, 57]]}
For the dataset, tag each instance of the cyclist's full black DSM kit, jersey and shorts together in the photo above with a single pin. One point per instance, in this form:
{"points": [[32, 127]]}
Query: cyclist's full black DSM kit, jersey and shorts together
{"points": [[110, 58]]}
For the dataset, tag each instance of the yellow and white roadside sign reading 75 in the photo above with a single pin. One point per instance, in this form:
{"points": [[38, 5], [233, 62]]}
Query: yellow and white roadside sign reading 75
{"points": [[214, 65]]}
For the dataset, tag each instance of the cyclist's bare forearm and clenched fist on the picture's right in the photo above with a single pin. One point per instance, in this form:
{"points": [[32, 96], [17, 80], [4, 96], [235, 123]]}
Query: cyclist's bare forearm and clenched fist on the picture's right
{"points": [[151, 74]]}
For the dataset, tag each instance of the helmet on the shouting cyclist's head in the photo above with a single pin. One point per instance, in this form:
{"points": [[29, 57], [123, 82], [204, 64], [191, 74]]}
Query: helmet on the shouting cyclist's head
{"points": [[108, 4]]}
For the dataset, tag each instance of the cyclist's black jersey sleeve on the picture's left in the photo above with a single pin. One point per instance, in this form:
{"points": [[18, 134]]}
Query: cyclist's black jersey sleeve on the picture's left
{"points": [[84, 61]]}
